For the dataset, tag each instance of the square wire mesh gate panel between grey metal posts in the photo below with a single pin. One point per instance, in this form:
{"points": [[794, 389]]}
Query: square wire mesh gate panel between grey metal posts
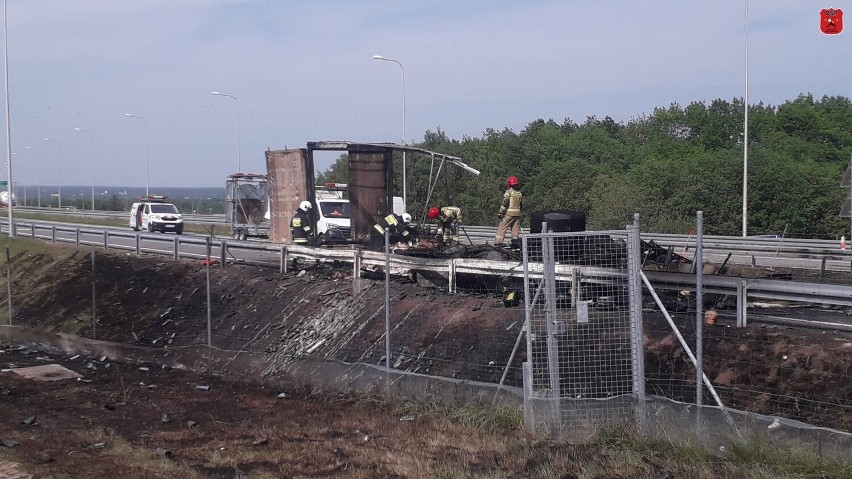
{"points": [[581, 345]]}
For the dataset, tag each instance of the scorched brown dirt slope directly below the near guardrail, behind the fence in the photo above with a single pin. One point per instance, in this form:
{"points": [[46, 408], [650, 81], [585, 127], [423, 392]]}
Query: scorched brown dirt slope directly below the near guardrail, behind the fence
{"points": [[322, 312]]}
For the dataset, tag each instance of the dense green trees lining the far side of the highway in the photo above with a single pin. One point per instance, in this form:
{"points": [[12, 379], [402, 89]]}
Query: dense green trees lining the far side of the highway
{"points": [[665, 166]]}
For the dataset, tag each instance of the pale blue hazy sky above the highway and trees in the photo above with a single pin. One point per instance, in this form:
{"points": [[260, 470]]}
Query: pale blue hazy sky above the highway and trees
{"points": [[303, 71]]}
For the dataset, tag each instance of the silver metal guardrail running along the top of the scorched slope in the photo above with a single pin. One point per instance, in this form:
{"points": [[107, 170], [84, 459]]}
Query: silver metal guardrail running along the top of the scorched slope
{"points": [[269, 254]]}
